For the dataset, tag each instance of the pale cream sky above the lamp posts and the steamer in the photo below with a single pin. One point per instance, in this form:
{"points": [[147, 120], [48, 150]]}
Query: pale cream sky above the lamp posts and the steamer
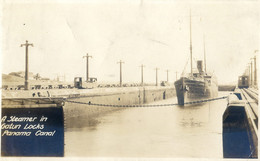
{"points": [[155, 33]]}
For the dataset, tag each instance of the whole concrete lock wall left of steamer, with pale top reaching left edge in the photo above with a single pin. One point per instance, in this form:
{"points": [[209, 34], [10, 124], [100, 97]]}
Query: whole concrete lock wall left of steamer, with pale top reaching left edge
{"points": [[112, 96]]}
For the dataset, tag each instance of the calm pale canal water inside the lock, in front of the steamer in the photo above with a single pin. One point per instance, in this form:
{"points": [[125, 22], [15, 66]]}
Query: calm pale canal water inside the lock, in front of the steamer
{"points": [[177, 132]]}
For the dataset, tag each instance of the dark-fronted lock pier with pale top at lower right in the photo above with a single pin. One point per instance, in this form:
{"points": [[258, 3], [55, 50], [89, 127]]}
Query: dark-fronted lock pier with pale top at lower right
{"points": [[240, 125]]}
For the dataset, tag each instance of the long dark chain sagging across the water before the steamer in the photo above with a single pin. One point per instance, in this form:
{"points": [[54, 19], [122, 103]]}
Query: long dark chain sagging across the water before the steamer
{"points": [[144, 105]]}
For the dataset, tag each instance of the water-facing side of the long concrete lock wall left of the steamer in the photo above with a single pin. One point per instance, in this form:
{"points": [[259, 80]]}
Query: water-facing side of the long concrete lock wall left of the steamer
{"points": [[73, 112]]}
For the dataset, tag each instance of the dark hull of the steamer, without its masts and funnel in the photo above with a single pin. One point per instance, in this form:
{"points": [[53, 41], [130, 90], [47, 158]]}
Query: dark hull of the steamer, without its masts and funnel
{"points": [[194, 90]]}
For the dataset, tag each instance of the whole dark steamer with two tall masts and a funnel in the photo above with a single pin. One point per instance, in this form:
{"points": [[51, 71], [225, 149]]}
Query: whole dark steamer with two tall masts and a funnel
{"points": [[198, 84]]}
